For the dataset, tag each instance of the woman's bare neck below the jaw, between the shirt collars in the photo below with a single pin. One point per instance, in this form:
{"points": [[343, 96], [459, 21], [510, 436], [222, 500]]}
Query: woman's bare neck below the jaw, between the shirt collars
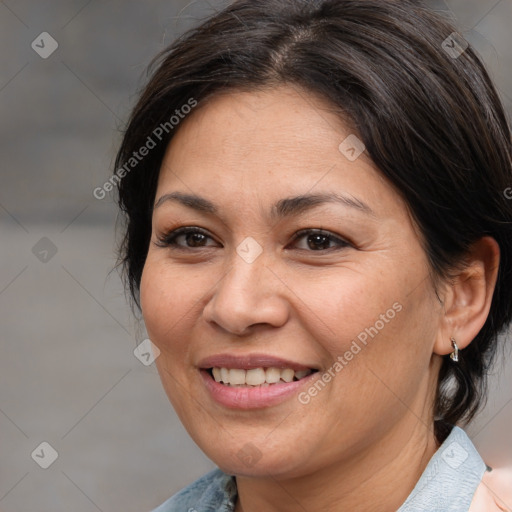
{"points": [[378, 480]]}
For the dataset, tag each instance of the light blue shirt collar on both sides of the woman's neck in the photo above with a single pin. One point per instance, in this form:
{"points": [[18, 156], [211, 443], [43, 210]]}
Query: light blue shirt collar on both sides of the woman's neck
{"points": [[447, 484]]}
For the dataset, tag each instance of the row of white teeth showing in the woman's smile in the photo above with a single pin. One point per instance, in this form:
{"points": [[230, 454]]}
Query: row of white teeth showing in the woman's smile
{"points": [[257, 377]]}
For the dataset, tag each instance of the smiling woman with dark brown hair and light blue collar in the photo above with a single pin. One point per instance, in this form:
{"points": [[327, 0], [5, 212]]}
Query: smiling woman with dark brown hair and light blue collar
{"points": [[319, 241]]}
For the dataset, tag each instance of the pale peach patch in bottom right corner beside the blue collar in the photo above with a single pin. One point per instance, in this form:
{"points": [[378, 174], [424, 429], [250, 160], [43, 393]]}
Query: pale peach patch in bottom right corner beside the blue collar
{"points": [[494, 494]]}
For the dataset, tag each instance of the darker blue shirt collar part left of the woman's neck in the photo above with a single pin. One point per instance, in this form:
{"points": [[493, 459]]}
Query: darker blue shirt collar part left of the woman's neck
{"points": [[214, 491]]}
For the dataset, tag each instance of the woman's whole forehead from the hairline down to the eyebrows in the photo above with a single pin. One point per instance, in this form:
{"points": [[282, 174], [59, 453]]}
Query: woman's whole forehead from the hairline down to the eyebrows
{"points": [[270, 144]]}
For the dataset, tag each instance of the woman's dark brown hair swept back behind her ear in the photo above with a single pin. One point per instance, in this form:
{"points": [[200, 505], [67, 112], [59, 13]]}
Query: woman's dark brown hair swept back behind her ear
{"points": [[430, 118]]}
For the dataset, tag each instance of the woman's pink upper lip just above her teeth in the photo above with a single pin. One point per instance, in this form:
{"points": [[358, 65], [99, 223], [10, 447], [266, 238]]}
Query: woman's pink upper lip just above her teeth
{"points": [[249, 361]]}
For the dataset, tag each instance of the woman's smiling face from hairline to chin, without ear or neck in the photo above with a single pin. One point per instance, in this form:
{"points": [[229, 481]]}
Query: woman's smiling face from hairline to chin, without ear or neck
{"points": [[248, 295]]}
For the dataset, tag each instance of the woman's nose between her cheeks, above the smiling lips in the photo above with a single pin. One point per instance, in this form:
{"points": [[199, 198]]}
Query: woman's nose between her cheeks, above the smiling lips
{"points": [[249, 295]]}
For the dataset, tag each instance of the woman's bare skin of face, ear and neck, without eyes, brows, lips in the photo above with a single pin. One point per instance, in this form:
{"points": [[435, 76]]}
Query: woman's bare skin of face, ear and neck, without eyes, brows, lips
{"points": [[373, 421]]}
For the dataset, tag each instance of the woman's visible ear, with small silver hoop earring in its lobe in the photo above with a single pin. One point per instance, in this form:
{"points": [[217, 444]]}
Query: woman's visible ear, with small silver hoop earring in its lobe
{"points": [[467, 297]]}
